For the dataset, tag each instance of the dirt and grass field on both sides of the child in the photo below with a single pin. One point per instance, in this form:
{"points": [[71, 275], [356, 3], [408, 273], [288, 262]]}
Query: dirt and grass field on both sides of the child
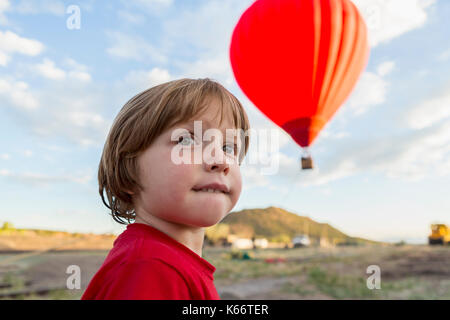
{"points": [[407, 272]]}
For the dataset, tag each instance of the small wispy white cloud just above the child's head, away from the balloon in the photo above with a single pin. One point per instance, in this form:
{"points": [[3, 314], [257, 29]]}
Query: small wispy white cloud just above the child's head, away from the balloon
{"points": [[133, 47]]}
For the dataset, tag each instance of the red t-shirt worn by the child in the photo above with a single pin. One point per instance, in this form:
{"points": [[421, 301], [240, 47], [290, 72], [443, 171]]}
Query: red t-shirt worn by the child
{"points": [[146, 263]]}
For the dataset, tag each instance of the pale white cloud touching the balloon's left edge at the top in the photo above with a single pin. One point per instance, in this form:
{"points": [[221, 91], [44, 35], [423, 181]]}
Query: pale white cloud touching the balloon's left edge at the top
{"points": [[186, 32]]}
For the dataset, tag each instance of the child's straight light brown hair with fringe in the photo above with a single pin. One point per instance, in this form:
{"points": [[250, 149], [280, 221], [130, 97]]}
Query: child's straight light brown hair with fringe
{"points": [[141, 120]]}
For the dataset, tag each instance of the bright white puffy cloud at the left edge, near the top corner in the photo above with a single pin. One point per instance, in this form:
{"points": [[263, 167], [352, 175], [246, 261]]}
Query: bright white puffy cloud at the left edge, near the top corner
{"points": [[11, 43]]}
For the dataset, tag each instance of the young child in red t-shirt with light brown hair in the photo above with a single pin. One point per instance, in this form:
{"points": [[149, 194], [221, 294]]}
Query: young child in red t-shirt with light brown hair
{"points": [[159, 256]]}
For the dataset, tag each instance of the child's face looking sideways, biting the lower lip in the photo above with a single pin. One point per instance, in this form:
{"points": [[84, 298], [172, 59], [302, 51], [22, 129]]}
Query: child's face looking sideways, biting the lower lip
{"points": [[170, 189]]}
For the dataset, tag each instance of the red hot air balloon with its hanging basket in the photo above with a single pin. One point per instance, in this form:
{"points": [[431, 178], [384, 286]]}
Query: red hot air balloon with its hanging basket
{"points": [[298, 61]]}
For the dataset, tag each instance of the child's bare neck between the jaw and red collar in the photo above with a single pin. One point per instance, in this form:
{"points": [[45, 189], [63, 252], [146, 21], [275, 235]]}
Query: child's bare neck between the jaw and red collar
{"points": [[191, 237]]}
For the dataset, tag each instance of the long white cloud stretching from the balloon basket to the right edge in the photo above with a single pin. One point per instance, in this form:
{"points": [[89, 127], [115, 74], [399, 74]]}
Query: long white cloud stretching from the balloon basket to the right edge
{"points": [[410, 156]]}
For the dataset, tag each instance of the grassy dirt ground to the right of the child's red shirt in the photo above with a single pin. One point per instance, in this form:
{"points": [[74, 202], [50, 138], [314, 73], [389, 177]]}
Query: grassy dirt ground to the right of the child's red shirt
{"points": [[407, 272]]}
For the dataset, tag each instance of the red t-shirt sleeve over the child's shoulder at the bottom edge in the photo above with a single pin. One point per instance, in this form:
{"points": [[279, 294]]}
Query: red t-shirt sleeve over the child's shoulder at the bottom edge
{"points": [[148, 280]]}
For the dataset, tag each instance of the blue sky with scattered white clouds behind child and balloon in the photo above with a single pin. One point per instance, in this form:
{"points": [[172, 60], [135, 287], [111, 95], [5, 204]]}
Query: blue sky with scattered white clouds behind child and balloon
{"points": [[382, 163]]}
